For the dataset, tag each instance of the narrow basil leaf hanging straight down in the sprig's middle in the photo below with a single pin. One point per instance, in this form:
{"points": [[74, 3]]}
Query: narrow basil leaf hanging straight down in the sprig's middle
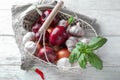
{"points": [[82, 60]]}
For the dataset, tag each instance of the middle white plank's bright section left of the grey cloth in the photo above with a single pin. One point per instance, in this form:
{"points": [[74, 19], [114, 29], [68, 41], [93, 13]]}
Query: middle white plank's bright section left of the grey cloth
{"points": [[9, 52]]}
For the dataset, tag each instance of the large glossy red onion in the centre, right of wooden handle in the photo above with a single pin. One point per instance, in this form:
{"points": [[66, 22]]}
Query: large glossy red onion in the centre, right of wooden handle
{"points": [[58, 36]]}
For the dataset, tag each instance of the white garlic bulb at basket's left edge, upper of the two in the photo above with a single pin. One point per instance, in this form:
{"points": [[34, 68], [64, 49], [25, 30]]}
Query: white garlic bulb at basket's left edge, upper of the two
{"points": [[29, 36]]}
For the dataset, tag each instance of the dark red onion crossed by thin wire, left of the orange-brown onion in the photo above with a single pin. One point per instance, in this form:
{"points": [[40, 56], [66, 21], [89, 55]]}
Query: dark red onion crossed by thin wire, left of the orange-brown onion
{"points": [[50, 54]]}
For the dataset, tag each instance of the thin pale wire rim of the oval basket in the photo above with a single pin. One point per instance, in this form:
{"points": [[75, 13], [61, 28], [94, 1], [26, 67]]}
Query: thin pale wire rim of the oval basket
{"points": [[61, 11]]}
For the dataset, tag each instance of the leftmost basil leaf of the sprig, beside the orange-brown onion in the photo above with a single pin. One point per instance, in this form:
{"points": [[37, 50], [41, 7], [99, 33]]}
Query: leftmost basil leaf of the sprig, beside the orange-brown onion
{"points": [[75, 54]]}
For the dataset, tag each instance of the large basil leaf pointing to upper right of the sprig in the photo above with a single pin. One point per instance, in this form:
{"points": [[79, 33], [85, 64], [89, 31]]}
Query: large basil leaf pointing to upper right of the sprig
{"points": [[97, 42]]}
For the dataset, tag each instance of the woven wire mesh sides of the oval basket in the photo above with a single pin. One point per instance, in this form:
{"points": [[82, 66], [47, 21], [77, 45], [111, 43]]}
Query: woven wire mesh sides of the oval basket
{"points": [[26, 22]]}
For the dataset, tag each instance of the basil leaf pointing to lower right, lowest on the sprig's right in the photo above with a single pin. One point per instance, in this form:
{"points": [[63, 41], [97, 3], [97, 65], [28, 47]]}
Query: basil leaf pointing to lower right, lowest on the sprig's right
{"points": [[95, 61]]}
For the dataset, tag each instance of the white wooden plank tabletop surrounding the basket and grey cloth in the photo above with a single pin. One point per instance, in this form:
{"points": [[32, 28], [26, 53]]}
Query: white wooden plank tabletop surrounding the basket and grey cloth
{"points": [[107, 13]]}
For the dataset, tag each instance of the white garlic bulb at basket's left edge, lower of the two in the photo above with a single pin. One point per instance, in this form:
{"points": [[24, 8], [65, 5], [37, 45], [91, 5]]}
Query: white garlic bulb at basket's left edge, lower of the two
{"points": [[30, 46]]}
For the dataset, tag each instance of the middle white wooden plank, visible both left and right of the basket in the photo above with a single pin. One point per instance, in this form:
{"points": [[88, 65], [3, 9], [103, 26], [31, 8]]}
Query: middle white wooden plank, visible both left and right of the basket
{"points": [[109, 53]]}
